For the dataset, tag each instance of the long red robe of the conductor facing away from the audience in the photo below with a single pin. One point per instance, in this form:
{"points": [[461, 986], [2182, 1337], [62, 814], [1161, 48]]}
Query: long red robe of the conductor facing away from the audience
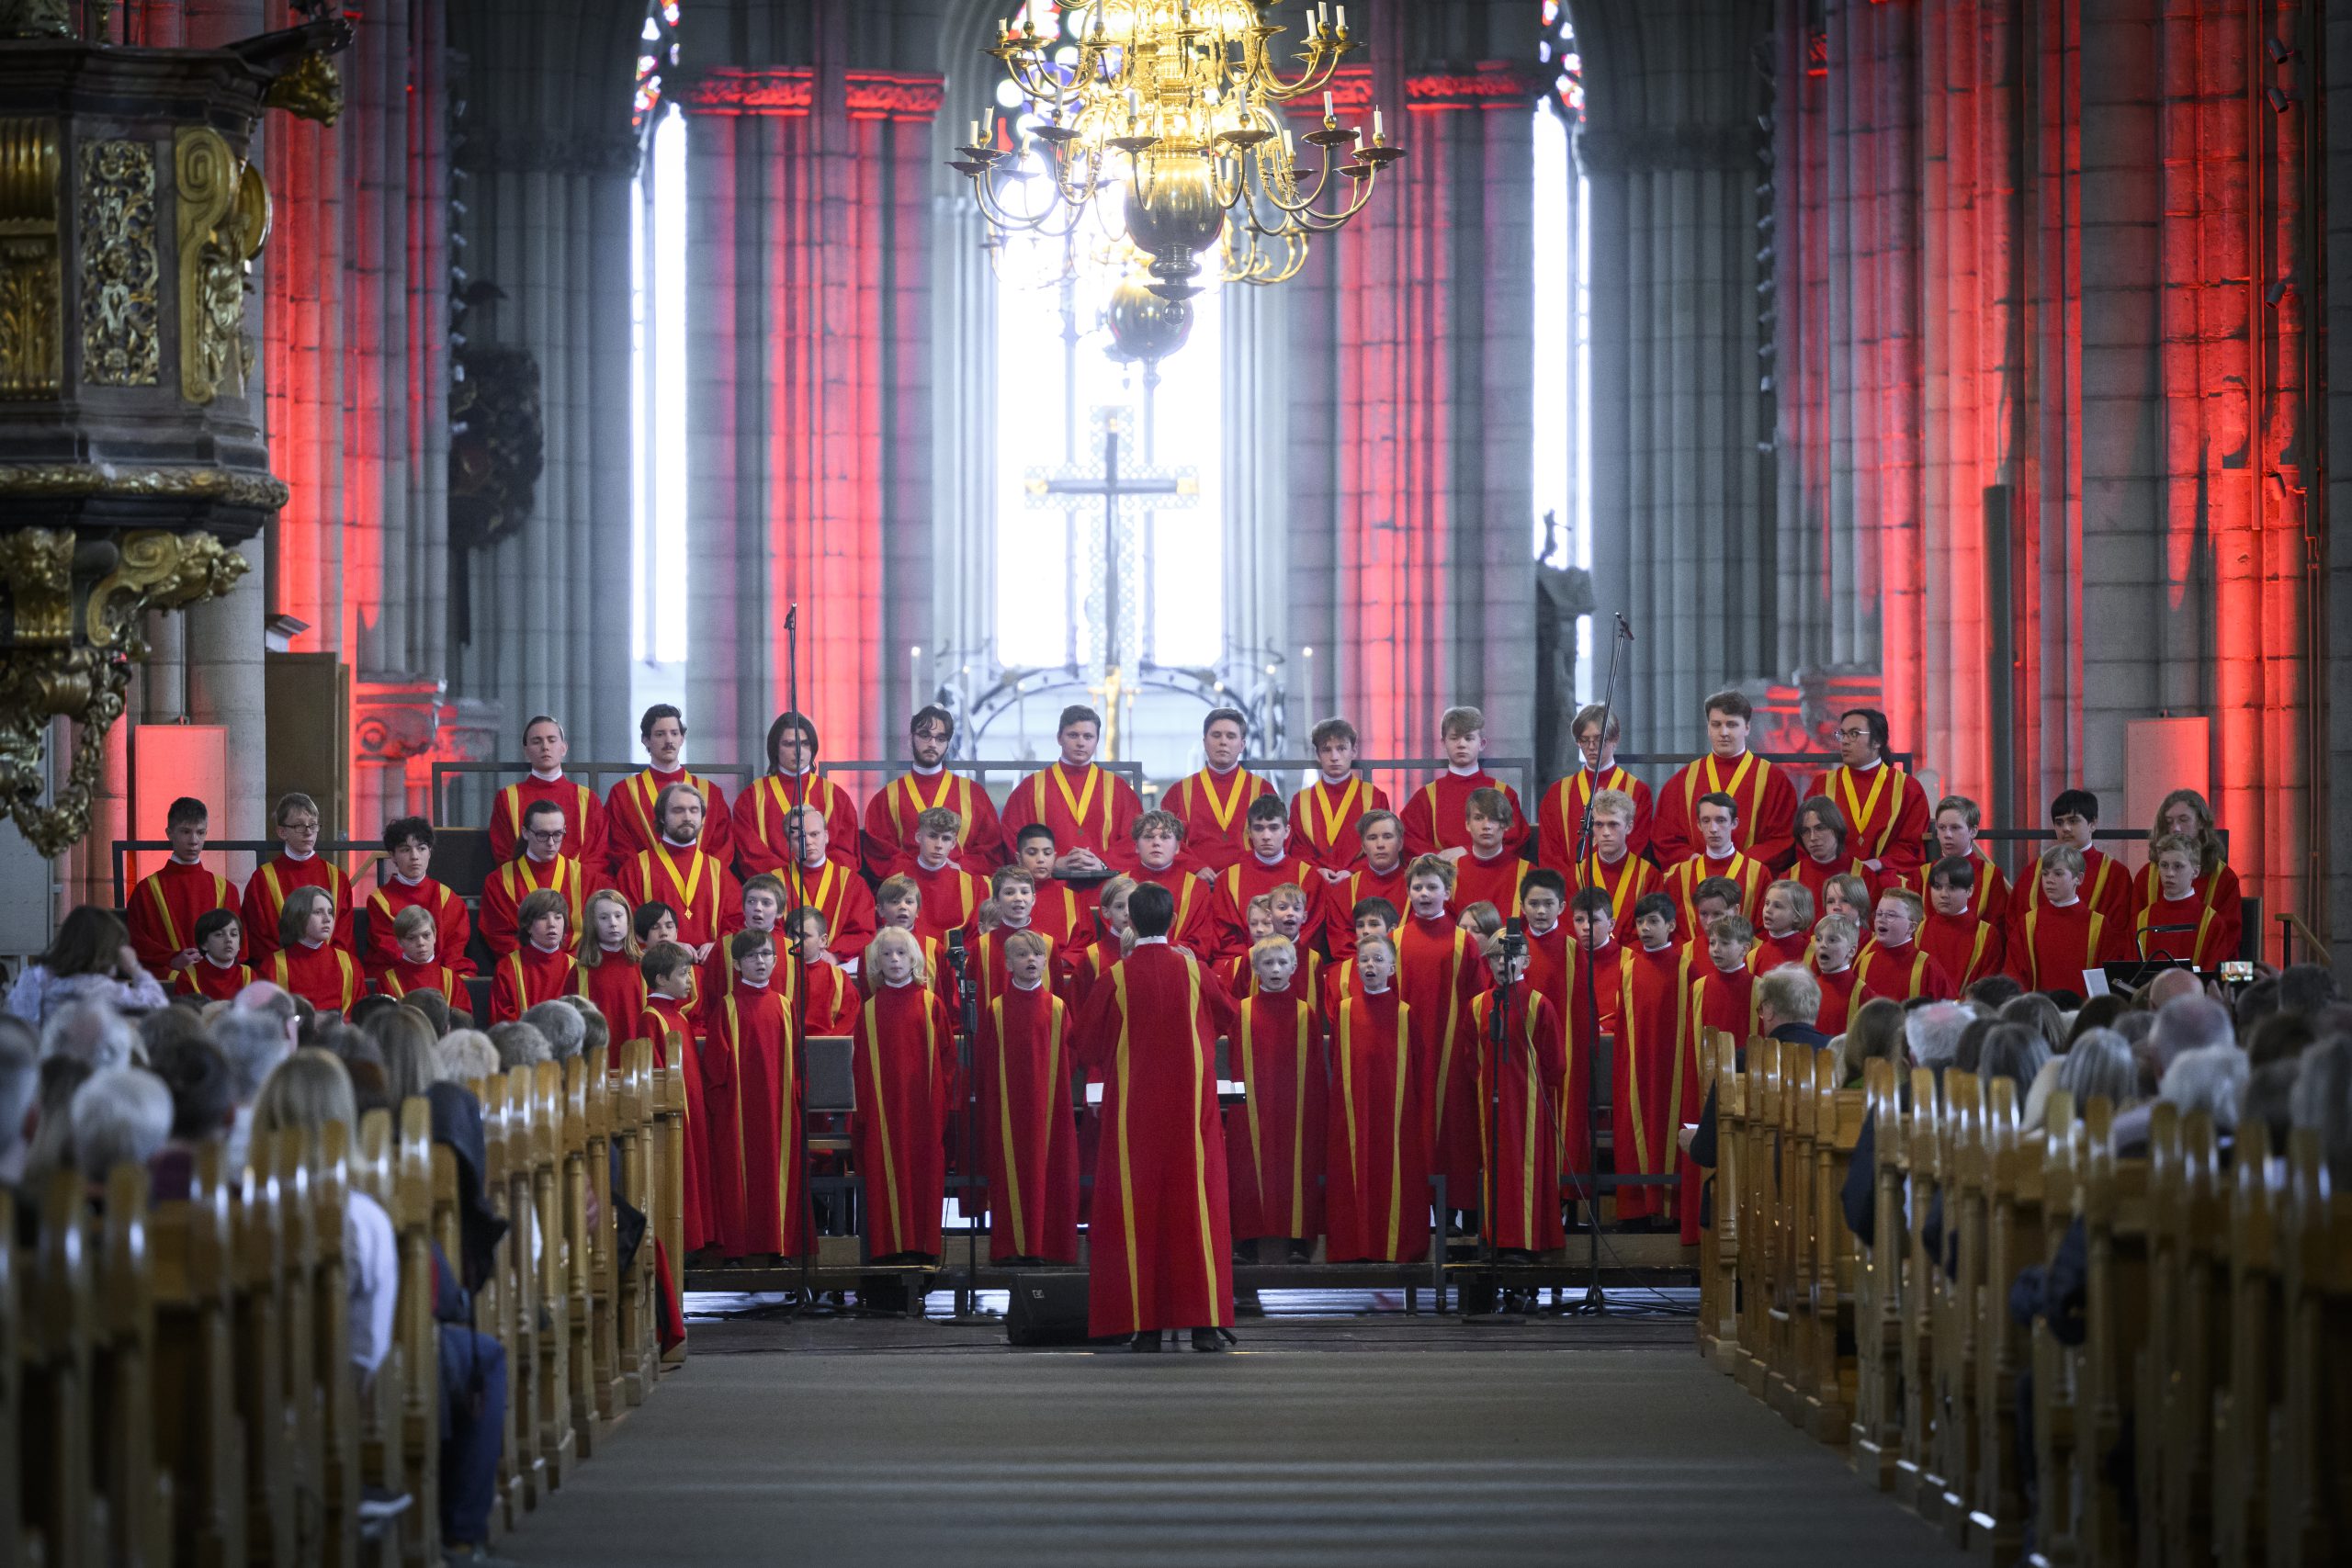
{"points": [[1161, 1249]]}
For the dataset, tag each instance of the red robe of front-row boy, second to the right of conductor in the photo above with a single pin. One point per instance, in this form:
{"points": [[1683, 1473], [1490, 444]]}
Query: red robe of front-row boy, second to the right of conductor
{"points": [[1377, 1137]]}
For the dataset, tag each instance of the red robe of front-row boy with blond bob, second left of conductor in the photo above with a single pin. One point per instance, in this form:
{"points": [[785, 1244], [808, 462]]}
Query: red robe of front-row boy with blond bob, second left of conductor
{"points": [[904, 1068]]}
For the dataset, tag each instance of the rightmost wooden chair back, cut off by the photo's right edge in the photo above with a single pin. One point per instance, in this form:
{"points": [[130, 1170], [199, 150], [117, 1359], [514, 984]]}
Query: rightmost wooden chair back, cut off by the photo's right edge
{"points": [[2311, 1459]]}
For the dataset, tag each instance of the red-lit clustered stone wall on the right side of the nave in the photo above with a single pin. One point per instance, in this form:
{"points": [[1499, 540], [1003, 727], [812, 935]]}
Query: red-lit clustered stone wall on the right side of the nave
{"points": [[2026, 272]]}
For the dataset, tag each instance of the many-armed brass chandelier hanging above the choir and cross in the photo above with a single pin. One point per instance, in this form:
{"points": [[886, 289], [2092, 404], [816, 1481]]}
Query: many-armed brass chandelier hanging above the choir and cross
{"points": [[1175, 107]]}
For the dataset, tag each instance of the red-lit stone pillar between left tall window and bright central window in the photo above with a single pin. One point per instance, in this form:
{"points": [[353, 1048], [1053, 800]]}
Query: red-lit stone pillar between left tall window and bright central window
{"points": [[810, 396]]}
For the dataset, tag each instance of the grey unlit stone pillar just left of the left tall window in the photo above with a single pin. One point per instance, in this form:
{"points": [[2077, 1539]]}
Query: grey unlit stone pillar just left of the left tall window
{"points": [[549, 152]]}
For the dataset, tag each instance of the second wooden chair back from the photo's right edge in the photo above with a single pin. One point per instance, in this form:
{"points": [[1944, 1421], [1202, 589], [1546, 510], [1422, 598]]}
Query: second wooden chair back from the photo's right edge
{"points": [[2250, 1400]]}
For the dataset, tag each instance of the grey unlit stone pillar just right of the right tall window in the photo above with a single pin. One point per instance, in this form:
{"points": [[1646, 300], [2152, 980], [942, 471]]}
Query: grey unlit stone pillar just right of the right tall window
{"points": [[1683, 500]]}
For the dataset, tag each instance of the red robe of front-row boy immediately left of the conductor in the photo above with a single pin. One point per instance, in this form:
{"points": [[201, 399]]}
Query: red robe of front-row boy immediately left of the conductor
{"points": [[1029, 1132]]}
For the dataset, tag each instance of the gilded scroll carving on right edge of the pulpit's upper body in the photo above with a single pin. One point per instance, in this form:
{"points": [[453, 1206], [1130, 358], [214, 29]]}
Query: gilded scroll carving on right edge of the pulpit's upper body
{"points": [[222, 225]]}
